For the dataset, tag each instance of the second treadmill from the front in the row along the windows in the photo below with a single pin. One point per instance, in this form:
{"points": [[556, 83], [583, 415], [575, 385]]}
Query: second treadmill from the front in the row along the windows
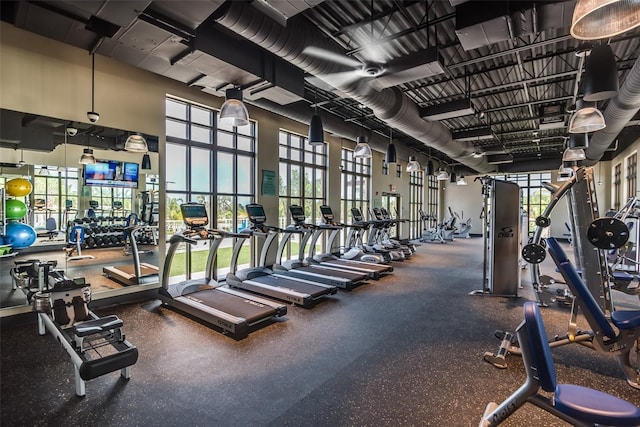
{"points": [[260, 279]]}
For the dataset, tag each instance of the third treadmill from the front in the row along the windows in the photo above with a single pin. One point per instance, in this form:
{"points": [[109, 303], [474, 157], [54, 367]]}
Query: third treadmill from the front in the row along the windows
{"points": [[299, 268]]}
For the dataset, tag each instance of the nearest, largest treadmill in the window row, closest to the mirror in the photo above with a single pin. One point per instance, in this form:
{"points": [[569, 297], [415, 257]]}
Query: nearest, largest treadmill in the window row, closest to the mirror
{"points": [[231, 310]]}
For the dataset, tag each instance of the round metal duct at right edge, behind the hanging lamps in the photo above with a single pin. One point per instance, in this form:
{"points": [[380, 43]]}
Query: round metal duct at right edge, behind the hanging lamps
{"points": [[617, 114]]}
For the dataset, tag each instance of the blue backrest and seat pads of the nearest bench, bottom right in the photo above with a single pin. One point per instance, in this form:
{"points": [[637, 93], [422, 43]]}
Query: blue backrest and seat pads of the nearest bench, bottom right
{"points": [[578, 402]]}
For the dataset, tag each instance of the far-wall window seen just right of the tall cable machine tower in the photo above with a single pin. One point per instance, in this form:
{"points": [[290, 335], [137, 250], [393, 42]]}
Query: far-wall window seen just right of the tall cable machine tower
{"points": [[535, 197]]}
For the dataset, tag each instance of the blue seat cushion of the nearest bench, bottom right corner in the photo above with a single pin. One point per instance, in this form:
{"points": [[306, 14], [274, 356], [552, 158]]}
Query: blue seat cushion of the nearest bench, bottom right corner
{"points": [[594, 406]]}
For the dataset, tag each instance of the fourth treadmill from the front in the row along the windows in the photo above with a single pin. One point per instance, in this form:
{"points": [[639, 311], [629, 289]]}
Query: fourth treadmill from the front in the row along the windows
{"points": [[374, 270]]}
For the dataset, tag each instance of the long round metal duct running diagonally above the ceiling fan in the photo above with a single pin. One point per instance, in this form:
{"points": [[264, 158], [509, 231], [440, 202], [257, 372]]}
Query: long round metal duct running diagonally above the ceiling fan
{"points": [[389, 105]]}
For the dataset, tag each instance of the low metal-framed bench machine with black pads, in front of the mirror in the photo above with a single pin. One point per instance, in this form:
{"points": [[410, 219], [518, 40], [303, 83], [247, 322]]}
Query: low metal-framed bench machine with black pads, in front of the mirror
{"points": [[96, 345]]}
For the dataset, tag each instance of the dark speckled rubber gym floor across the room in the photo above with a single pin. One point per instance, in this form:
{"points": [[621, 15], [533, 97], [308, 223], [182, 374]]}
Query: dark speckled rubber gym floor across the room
{"points": [[403, 351]]}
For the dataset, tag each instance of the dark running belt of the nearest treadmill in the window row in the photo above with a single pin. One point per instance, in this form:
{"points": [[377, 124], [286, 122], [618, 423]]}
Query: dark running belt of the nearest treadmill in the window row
{"points": [[233, 305]]}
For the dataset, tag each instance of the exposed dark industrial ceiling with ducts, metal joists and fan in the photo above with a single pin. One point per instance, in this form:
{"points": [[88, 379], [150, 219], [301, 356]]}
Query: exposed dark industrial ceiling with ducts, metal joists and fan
{"points": [[511, 68]]}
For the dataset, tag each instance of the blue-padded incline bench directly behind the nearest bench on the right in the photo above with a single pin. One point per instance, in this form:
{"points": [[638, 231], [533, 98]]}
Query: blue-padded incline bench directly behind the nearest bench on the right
{"points": [[602, 336]]}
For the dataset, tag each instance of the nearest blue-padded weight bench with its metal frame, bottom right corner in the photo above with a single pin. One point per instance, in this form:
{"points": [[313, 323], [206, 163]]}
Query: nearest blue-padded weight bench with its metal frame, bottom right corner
{"points": [[579, 406]]}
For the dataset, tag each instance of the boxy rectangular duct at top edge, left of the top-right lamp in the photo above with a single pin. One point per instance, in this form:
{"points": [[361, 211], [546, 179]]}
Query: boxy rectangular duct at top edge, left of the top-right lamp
{"points": [[485, 22]]}
